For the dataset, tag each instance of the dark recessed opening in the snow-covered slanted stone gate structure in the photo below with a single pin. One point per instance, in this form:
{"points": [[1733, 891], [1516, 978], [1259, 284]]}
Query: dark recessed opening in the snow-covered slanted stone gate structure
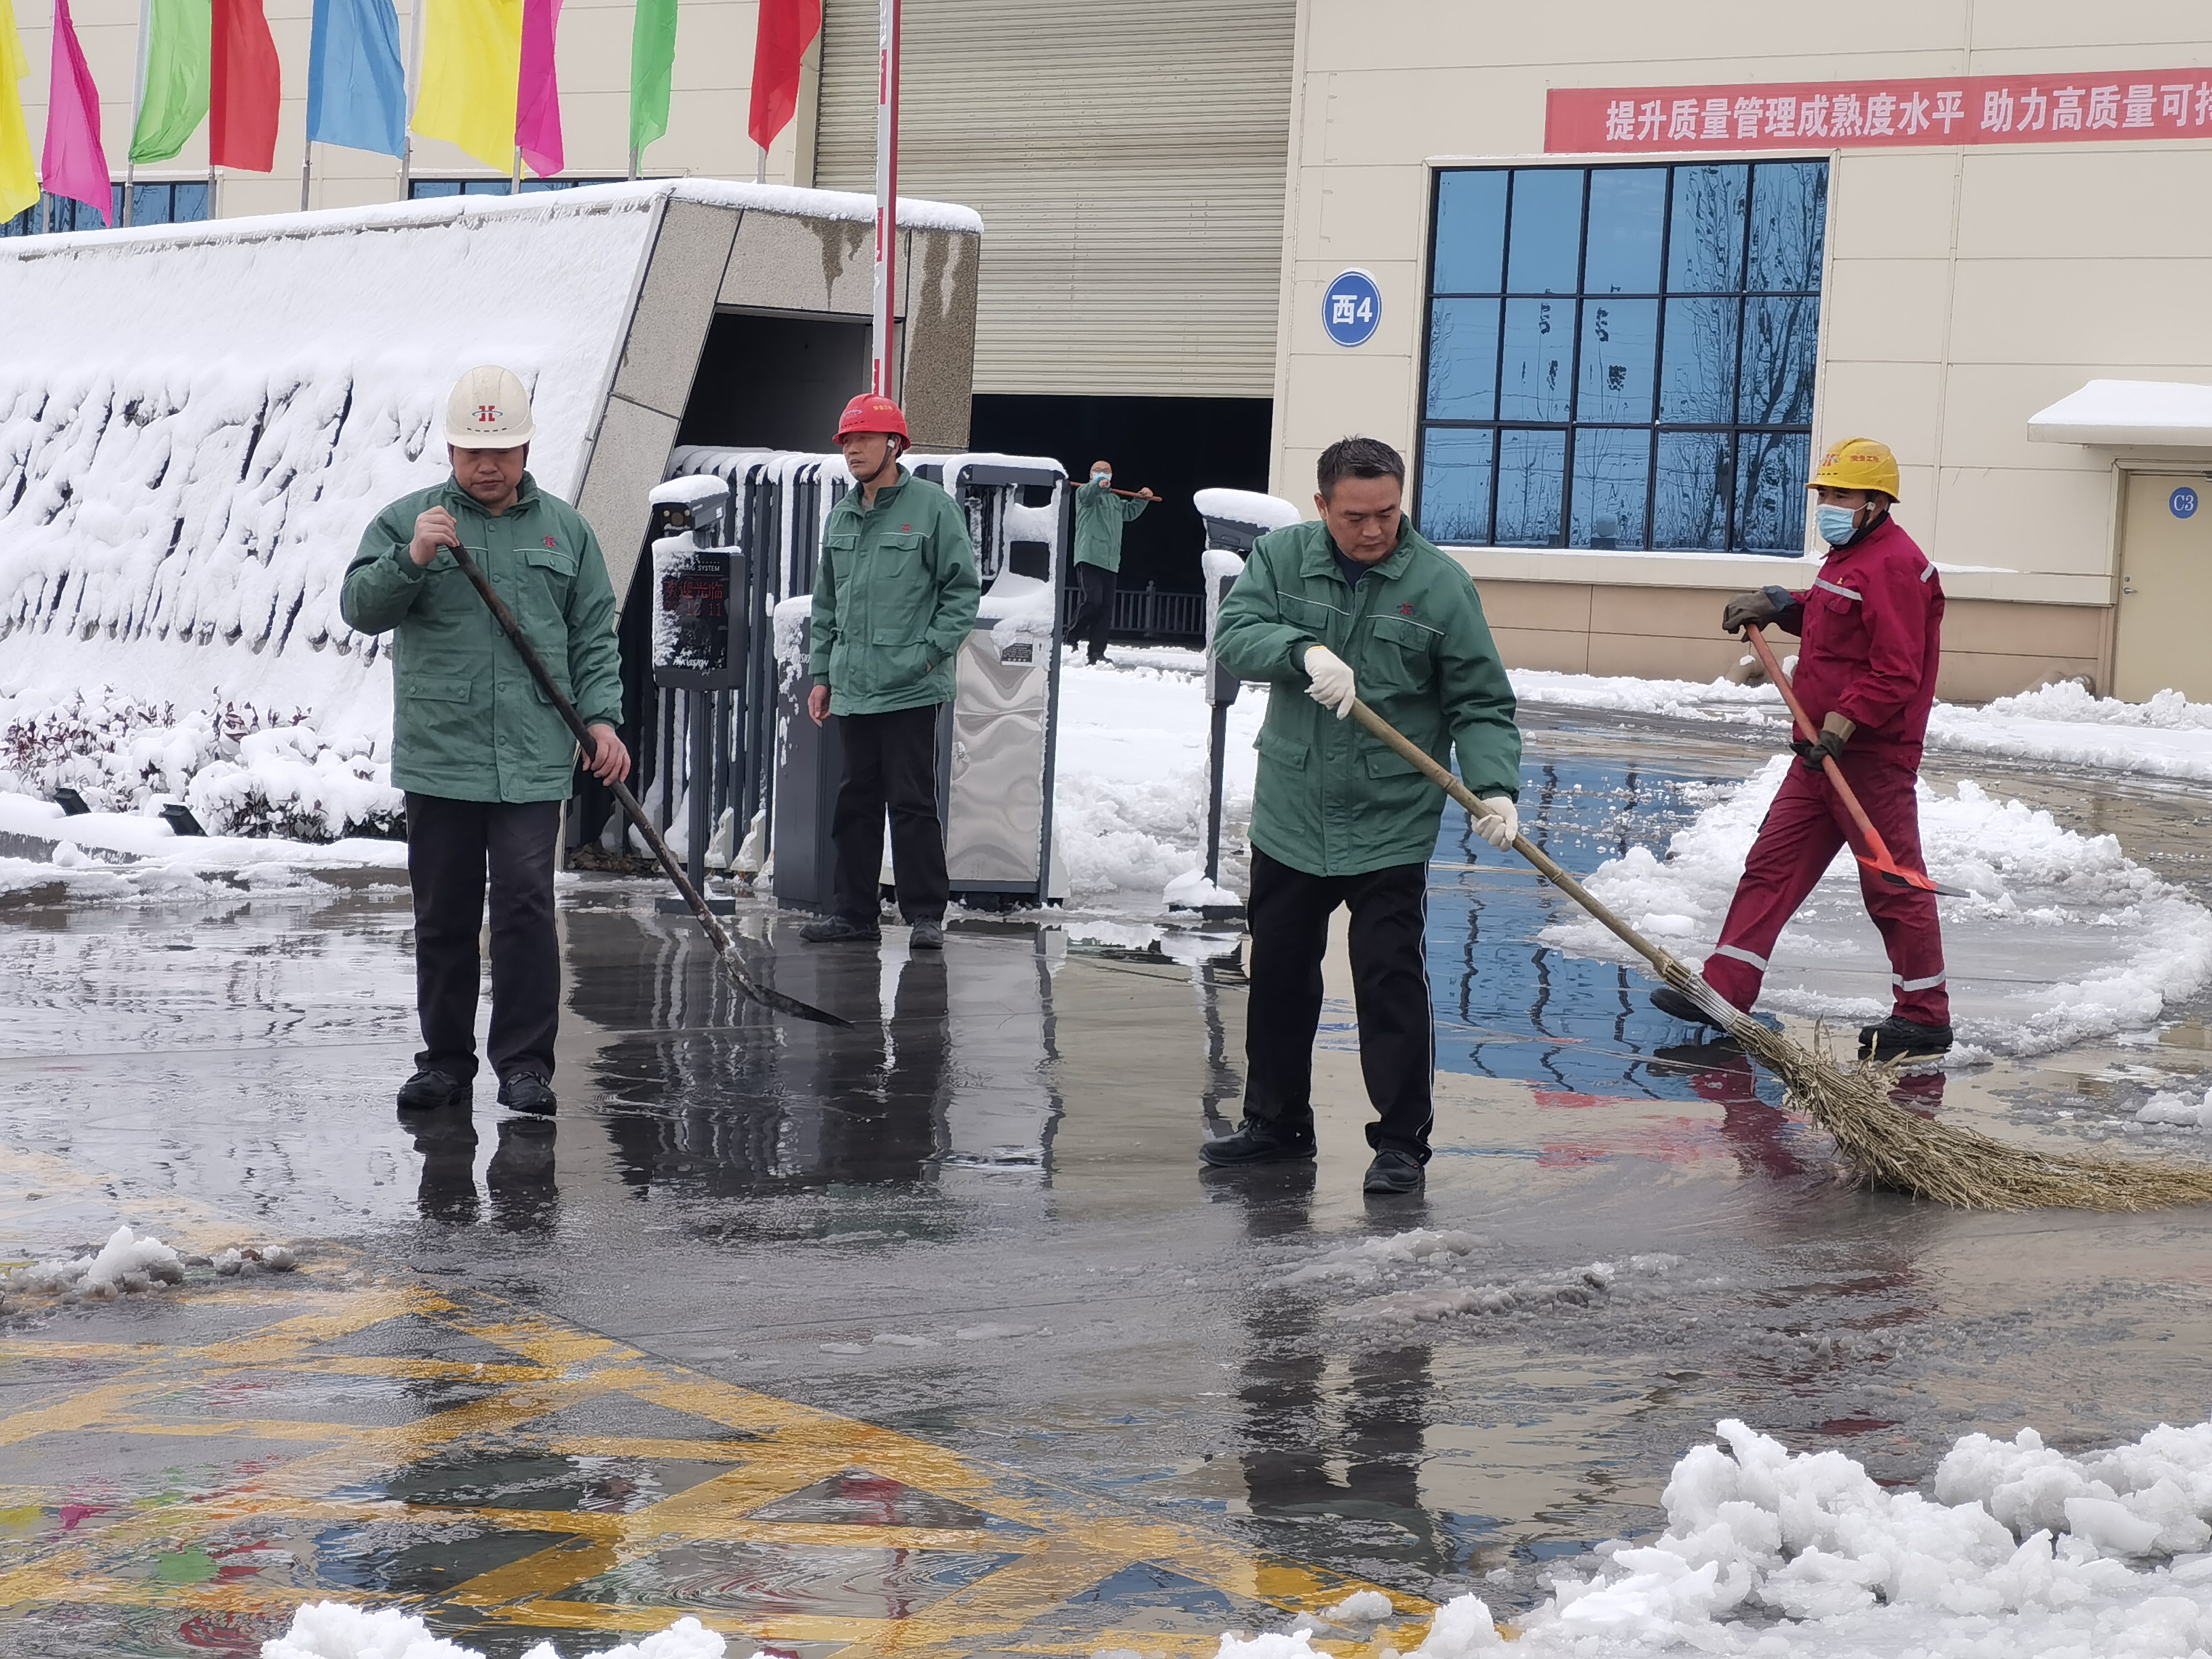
{"points": [[775, 382]]}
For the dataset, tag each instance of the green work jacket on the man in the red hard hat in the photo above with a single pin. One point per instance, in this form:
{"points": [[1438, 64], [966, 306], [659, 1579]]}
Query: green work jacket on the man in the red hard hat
{"points": [[895, 596]]}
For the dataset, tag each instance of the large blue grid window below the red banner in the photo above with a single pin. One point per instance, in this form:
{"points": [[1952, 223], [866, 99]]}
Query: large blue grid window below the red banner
{"points": [[1623, 357]]}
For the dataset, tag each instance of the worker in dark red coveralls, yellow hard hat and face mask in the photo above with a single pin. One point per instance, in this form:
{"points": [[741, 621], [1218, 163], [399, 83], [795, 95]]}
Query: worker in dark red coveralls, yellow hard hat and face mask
{"points": [[1866, 674]]}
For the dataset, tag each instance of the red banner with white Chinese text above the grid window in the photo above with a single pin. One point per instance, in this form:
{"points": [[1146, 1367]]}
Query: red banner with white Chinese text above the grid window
{"points": [[1872, 114]]}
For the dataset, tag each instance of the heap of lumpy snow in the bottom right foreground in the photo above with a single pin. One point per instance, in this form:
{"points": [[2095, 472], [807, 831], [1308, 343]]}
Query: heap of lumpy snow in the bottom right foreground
{"points": [[2016, 1554]]}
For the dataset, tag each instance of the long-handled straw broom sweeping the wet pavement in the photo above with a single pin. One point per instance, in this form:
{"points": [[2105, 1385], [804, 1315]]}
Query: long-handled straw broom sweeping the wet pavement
{"points": [[1879, 1142]]}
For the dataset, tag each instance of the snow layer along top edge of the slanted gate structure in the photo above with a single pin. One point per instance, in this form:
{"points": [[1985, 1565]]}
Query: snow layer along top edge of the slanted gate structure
{"points": [[844, 207]]}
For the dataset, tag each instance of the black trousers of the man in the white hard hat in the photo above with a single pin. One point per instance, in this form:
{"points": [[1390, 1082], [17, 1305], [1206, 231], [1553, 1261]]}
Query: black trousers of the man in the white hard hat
{"points": [[452, 846]]}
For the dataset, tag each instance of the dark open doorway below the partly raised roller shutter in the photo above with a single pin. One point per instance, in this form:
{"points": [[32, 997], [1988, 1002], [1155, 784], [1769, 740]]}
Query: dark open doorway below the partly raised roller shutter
{"points": [[1173, 446]]}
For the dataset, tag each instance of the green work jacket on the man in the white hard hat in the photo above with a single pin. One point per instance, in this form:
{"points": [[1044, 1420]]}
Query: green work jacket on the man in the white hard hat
{"points": [[468, 720]]}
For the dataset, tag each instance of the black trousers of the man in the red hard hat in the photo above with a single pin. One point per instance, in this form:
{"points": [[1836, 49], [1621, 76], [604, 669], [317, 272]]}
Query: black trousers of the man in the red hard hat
{"points": [[890, 762]]}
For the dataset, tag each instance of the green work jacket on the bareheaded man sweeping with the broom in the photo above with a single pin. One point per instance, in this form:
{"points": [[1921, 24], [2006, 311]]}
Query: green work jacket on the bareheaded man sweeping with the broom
{"points": [[1333, 800]]}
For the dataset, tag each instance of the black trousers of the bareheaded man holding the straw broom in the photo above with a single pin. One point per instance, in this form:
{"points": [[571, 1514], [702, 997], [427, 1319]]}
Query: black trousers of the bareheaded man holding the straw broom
{"points": [[1390, 988]]}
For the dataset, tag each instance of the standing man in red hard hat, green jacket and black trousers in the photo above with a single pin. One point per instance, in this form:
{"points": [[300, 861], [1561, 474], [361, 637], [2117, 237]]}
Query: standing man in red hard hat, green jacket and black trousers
{"points": [[895, 596]]}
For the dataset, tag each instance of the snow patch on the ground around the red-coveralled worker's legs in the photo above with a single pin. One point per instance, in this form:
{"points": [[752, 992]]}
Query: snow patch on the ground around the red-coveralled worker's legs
{"points": [[2065, 937]]}
